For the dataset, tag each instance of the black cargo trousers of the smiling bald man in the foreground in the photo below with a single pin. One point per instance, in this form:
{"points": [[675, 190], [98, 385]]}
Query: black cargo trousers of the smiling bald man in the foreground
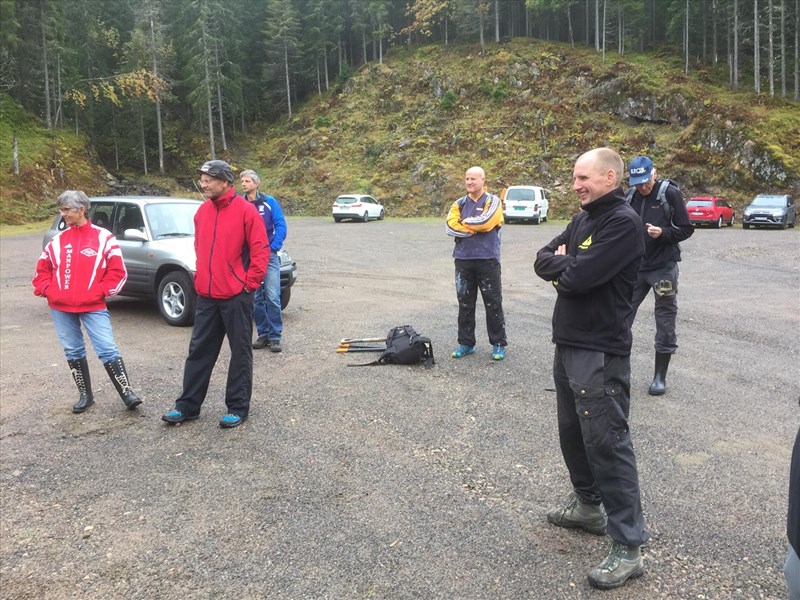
{"points": [[593, 395]]}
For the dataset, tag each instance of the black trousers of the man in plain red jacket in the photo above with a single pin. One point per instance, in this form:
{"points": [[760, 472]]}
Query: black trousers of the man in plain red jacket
{"points": [[214, 319]]}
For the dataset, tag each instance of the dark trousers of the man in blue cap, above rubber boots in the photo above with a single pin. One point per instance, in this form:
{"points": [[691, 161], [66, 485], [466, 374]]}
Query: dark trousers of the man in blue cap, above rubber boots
{"points": [[666, 303]]}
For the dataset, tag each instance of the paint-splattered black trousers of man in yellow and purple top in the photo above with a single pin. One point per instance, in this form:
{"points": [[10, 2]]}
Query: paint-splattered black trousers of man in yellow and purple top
{"points": [[483, 275]]}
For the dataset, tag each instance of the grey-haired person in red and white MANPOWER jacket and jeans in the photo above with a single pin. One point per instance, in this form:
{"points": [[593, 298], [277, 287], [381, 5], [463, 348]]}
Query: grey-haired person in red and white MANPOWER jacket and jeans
{"points": [[77, 269]]}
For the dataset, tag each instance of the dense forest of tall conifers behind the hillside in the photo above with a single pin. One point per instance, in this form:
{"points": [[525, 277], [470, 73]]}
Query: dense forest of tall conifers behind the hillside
{"points": [[152, 81]]}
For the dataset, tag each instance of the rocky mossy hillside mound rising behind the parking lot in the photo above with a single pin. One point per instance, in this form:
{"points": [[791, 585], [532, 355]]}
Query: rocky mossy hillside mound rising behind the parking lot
{"points": [[406, 130]]}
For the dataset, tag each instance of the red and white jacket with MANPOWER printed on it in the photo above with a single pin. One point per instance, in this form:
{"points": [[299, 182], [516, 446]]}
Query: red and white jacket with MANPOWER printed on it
{"points": [[78, 268]]}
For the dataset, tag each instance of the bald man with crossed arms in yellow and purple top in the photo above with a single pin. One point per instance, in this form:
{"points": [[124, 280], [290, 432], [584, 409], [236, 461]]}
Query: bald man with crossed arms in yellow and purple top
{"points": [[475, 221]]}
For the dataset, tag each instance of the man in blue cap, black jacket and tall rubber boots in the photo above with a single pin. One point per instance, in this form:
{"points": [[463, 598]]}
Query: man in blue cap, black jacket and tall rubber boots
{"points": [[665, 228]]}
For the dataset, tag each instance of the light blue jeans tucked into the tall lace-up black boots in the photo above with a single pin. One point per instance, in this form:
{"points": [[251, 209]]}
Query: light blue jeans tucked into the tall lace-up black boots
{"points": [[98, 327]]}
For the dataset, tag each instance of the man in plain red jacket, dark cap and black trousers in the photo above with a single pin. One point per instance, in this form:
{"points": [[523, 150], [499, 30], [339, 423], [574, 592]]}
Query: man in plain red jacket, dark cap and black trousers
{"points": [[232, 254]]}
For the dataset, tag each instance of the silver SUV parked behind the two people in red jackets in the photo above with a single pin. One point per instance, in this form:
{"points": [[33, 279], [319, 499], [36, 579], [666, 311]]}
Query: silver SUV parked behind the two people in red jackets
{"points": [[156, 236]]}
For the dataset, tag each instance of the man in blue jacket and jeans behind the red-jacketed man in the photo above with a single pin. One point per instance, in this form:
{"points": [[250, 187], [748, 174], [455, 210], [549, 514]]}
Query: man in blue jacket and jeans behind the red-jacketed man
{"points": [[267, 301]]}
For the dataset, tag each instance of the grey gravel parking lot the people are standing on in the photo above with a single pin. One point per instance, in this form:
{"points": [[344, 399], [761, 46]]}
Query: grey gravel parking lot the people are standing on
{"points": [[398, 482]]}
